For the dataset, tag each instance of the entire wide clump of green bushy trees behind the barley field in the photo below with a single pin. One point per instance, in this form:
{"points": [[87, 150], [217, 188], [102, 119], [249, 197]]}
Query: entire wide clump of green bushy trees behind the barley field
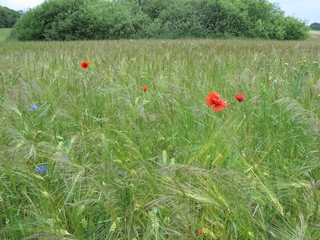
{"points": [[101, 19]]}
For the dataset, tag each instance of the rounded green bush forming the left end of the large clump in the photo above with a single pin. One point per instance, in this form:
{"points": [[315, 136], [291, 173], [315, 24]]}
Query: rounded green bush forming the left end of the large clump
{"points": [[74, 20]]}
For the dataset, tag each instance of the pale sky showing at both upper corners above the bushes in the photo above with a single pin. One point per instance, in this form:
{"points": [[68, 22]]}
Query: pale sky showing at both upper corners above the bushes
{"points": [[306, 10]]}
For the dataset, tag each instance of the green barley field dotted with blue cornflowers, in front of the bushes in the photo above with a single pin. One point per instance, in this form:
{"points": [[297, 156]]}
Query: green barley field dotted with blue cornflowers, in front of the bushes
{"points": [[87, 154]]}
